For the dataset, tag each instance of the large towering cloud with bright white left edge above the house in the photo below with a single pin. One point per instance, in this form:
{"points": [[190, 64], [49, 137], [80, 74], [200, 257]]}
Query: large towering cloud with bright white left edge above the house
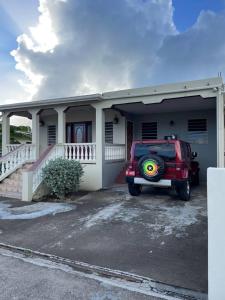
{"points": [[93, 45]]}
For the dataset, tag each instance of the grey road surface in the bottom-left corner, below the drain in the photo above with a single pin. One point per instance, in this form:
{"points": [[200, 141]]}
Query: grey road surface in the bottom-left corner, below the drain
{"points": [[43, 279]]}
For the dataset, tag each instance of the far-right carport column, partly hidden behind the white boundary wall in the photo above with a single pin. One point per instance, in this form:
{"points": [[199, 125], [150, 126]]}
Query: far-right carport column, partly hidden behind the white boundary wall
{"points": [[220, 129]]}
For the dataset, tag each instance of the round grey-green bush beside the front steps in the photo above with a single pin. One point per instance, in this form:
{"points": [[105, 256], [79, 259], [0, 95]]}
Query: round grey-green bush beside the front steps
{"points": [[62, 176]]}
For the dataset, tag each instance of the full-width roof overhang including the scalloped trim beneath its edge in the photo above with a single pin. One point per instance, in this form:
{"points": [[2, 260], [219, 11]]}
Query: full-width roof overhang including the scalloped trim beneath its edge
{"points": [[148, 95]]}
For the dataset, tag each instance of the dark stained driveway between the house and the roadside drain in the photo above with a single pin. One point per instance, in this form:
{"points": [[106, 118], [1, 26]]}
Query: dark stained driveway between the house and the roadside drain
{"points": [[154, 235]]}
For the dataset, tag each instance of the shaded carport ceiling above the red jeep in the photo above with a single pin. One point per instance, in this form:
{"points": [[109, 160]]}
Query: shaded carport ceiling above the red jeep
{"points": [[169, 105]]}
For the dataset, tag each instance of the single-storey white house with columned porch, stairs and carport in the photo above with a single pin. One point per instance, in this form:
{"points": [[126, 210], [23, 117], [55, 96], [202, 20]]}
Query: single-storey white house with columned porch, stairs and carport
{"points": [[98, 131]]}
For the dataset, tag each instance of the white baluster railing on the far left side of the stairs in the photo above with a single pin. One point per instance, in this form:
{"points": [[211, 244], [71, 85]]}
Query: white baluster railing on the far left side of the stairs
{"points": [[15, 159]]}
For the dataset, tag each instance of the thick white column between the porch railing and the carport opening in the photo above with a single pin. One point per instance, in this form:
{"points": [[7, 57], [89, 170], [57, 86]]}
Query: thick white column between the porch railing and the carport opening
{"points": [[100, 143]]}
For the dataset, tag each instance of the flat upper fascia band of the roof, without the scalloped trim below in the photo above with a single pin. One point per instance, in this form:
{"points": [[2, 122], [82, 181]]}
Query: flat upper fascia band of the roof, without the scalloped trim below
{"points": [[205, 84]]}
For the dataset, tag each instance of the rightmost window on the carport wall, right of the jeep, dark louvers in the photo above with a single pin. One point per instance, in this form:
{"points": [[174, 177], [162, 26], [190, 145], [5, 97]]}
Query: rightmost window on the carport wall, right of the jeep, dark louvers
{"points": [[197, 131]]}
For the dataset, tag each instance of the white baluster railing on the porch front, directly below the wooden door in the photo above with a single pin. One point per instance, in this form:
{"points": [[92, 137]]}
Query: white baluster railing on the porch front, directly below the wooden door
{"points": [[82, 152]]}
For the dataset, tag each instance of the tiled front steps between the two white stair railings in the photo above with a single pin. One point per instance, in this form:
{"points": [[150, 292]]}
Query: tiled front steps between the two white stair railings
{"points": [[11, 187]]}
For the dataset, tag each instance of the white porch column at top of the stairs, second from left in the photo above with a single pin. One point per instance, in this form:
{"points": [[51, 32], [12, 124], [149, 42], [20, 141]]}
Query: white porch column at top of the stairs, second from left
{"points": [[36, 131]]}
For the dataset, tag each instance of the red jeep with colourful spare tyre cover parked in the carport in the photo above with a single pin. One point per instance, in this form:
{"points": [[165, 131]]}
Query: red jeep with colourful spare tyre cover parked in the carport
{"points": [[162, 163]]}
